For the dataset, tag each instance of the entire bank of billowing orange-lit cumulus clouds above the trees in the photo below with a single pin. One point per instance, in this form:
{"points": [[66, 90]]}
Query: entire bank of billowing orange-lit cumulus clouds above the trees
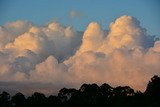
{"points": [[56, 56]]}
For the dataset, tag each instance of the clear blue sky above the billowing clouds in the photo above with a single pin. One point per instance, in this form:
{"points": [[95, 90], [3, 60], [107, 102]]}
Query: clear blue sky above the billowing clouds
{"points": [[41, 12]]}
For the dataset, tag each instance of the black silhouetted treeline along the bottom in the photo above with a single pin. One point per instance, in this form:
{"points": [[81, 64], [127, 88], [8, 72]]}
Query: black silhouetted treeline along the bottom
{"points": [[89, 95]]}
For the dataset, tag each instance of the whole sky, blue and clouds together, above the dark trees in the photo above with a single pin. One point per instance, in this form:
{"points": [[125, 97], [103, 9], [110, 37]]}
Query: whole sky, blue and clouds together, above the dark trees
{"points": [[51, 44]]}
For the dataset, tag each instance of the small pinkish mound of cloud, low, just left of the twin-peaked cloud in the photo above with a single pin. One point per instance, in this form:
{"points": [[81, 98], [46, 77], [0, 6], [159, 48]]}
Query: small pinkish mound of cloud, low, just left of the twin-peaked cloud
{"points": [[50, 69]]}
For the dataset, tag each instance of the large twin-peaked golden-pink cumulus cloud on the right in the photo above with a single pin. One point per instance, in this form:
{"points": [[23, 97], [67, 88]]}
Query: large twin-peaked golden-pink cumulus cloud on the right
{"points": [[119, 57]]}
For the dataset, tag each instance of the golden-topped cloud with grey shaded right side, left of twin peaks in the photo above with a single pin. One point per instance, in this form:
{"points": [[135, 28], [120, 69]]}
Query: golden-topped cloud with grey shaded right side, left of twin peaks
{"points": [[53, 39]]}
